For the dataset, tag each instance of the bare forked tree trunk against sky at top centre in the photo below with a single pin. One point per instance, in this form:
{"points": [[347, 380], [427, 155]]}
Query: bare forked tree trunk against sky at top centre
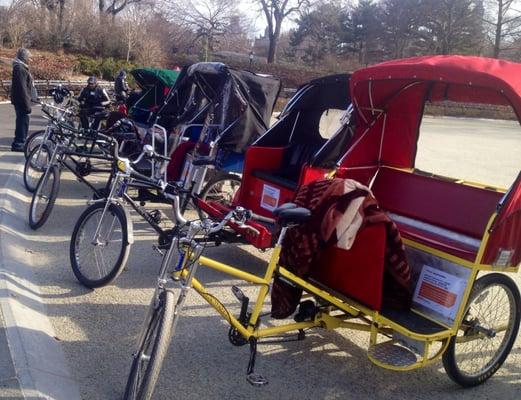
{"points": [[275, 12]]}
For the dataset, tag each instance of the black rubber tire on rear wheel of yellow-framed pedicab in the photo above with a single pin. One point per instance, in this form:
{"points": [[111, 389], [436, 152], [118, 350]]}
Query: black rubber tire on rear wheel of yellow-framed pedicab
{"points": [[453, 364]]}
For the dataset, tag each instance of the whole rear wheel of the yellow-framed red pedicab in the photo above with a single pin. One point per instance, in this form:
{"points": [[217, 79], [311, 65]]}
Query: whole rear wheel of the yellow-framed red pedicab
{"points": [[487, 333]]}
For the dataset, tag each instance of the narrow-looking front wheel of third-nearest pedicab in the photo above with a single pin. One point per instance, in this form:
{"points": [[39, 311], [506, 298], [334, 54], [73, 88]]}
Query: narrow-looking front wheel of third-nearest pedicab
{"points": [[44, 197]]}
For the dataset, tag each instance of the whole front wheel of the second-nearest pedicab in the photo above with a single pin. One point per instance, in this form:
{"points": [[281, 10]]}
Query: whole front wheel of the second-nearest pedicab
{"points": [[98, 261]]}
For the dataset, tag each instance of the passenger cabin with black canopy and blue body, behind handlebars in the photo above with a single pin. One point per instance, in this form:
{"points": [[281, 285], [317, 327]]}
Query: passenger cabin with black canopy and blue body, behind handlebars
{"points": [[225, 111]]}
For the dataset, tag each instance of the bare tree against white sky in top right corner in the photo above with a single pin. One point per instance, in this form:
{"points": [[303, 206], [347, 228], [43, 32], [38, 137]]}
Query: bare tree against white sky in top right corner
{"points": [[503, 22]]}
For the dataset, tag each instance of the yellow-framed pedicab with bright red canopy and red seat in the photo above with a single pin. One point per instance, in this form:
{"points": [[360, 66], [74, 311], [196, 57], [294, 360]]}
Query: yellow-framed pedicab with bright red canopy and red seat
{"points": [[452, 230]]}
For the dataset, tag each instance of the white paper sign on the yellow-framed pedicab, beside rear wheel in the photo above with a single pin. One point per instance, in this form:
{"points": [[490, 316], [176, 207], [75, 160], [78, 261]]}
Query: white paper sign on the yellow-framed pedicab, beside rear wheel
{"points": [[440, 292]]}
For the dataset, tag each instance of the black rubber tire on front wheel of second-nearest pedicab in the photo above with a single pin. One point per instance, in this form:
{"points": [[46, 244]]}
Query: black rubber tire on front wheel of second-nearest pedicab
{"points": [[116, 211]]}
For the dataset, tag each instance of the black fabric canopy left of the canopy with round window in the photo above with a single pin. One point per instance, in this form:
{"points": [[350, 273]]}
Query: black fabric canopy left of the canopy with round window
{"points": [[239, 102]]}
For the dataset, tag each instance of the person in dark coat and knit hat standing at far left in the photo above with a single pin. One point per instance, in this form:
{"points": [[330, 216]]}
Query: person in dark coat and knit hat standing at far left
{"points": [[23, 93]]}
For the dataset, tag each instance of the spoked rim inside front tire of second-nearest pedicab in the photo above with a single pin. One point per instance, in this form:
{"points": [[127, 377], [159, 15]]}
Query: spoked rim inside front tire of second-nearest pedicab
{"points": [[96, 258]]}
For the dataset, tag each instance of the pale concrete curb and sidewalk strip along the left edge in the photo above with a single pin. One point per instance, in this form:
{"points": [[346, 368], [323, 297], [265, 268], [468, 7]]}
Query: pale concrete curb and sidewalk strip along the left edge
{"points": [[32, 363]]}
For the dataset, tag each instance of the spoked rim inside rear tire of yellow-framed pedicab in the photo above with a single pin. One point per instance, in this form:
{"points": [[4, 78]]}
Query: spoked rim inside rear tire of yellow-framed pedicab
{"points": [[494, 308]]}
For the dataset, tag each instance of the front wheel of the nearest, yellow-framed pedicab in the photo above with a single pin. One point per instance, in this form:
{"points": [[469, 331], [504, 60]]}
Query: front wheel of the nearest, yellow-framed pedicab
{"points": [[147, 362]]}
